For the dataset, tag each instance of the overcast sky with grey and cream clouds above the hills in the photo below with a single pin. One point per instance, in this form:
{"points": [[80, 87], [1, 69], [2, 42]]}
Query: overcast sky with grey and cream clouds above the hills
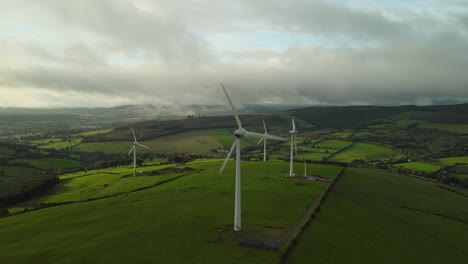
{"points": [[56, 53]]}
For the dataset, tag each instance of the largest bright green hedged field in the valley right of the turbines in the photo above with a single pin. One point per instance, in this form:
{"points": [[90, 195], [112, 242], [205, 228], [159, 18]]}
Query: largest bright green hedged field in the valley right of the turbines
{"points": [[366, 152]]}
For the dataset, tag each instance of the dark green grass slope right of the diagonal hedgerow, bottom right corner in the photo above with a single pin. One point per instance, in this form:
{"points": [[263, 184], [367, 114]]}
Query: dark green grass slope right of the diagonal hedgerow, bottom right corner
{"points": [[378, 217]]}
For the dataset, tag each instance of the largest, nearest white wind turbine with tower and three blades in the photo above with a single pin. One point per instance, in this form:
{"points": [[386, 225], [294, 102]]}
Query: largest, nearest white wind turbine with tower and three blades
{"points": [[240, 133]]}
